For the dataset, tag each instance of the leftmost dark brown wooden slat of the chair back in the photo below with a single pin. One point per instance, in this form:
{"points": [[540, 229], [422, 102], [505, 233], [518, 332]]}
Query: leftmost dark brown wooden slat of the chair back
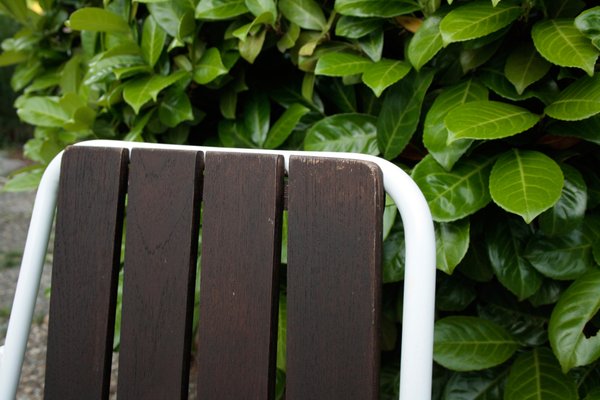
{"points": [[85, 273]]}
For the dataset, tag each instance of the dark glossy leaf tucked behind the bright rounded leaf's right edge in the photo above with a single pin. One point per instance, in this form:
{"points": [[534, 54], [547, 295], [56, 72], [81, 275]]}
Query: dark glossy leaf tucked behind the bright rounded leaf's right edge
{"points": [[569, 210]]}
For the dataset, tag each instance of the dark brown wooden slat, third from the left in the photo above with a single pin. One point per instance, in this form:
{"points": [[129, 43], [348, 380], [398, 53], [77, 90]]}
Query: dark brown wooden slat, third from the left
{"points": [[241, 227]]}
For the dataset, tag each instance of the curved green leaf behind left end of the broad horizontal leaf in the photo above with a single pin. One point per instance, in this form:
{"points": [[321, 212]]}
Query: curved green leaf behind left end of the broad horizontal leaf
{"points": [[435, 133]]}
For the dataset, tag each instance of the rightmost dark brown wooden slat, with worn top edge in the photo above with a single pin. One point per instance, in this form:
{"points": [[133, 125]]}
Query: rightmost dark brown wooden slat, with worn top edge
{"points": [[333, 295]]}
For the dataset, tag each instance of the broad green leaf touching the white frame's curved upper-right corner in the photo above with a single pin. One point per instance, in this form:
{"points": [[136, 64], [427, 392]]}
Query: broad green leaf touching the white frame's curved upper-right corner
{"points": [[456, 194]]}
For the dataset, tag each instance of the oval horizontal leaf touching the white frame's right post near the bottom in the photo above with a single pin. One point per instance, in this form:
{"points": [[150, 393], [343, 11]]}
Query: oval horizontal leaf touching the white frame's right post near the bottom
{"points": [[470, 343]]}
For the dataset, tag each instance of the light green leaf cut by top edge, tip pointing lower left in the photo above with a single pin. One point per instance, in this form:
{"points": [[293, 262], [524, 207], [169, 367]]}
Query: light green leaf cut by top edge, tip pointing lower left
{"points": [[477, 19]]}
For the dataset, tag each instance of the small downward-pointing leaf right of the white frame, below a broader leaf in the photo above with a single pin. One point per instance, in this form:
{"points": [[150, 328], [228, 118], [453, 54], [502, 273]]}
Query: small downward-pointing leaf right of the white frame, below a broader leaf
{"points": [[452, 242]]}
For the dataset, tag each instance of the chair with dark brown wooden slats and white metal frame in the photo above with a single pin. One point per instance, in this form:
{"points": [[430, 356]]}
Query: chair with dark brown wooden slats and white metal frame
{"points": [[334, 204]]}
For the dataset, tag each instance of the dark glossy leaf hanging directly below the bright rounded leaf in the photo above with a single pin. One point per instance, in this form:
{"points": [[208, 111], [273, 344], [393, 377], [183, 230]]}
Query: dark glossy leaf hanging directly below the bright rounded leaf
{"points": [[506, 241]]}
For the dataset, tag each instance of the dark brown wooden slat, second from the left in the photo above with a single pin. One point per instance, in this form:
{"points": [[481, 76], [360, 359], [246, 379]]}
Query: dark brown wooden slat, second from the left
{"points": [[160, 263]]}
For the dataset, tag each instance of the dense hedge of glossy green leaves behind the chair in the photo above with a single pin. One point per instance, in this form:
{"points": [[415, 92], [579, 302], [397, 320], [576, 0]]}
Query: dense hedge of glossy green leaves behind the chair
{"points": [[493, 105]]}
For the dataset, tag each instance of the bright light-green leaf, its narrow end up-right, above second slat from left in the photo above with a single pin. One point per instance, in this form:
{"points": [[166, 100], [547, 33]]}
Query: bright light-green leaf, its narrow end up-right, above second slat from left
{"points": [[138, 92]]}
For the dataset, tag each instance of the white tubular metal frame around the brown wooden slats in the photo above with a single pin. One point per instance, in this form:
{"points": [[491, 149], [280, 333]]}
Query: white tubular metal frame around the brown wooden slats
{"points": [[419, 280]]}
